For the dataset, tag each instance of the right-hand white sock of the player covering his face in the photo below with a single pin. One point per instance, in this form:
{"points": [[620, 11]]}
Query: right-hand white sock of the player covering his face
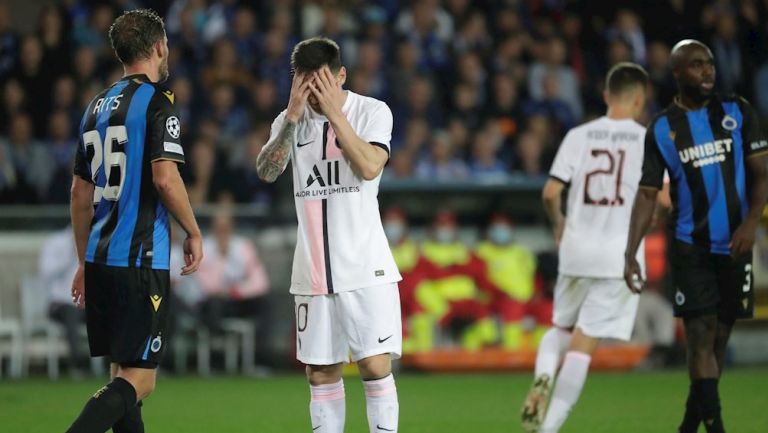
{"points": [[381, 404]]}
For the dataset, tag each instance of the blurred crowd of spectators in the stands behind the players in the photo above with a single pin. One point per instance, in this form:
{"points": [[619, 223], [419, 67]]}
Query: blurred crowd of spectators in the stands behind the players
{"points": [[478, 89]]}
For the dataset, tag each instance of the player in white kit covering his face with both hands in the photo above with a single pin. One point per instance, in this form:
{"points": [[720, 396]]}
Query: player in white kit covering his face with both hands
{"points": [[344, 277]]}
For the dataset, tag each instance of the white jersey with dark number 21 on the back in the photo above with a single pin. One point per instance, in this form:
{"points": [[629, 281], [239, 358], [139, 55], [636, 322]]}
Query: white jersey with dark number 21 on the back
{"points": [[602, 160]]}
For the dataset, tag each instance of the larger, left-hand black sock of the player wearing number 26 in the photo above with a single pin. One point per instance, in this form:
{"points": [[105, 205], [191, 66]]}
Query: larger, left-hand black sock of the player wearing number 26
{"points": [[108, 405]]}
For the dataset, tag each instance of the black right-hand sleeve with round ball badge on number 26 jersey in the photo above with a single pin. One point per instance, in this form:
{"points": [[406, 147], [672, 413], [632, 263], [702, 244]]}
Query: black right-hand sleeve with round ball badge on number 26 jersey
{"points": [[164, 129]]}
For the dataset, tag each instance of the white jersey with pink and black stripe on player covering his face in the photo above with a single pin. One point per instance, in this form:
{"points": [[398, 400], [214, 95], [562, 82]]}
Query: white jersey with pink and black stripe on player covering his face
{"points": [[341, 244]]}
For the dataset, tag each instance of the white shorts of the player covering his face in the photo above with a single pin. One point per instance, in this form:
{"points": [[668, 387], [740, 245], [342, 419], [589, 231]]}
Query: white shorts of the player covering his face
{"points": [[363, 323]]}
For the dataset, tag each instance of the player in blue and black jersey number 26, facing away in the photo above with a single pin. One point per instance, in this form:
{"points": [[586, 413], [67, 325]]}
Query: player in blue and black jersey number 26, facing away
{"points": [[126, 182]]}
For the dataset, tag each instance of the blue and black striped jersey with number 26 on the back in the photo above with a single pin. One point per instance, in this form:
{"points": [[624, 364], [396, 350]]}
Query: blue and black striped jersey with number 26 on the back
{"points": [[124, 129]]}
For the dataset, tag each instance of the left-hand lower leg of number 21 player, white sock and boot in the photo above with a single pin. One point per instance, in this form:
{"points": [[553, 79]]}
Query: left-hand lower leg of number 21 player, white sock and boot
{"points": [[551, 350]]}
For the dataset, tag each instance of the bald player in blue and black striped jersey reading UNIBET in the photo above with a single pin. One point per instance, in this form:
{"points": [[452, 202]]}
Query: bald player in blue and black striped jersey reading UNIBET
{"points": [[714, 150]]}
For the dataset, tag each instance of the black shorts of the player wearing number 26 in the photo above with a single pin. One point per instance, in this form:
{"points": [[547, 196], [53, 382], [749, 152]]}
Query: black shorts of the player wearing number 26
{"points": [[127, 313]]}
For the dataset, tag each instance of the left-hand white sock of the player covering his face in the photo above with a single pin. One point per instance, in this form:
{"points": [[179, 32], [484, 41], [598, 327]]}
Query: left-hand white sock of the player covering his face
{"points": [[327, 407]]}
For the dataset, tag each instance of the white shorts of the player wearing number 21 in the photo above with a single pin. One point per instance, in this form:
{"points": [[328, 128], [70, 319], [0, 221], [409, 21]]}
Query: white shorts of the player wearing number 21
{"points": [[600, 307]]}
